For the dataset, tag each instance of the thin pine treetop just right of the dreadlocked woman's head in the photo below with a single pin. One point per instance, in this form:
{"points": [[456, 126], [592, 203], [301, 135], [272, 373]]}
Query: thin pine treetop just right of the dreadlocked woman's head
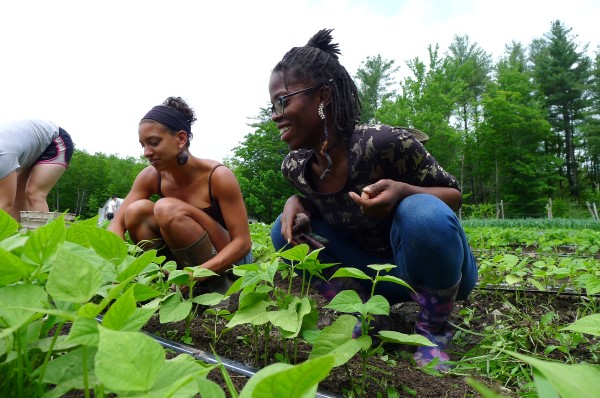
{"points": [[374, 79]]}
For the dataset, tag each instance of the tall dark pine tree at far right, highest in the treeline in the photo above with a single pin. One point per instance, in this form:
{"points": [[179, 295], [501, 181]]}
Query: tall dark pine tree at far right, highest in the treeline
{"points": [[561, 70]]}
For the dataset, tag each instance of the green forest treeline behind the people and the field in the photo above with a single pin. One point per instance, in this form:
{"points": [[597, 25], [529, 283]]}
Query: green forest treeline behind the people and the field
{"points": [[518, 132]]}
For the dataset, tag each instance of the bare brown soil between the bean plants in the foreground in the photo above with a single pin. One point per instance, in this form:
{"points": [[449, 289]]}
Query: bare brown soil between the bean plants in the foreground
{"points": [[398, 371]]}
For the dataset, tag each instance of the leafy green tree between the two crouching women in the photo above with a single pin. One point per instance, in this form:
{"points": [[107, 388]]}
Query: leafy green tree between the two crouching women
{"points": [[257, 165]]}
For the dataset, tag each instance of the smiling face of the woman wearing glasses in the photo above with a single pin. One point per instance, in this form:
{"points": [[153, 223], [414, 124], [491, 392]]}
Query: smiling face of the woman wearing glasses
{"points": [[299, 125]]}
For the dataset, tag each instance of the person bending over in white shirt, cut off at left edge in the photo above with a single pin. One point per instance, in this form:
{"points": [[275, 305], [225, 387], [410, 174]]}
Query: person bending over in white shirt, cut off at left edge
{"points": [[34, 154]]}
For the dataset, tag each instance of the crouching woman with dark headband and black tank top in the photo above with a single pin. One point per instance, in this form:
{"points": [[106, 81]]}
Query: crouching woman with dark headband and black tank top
{"points": [[200, 217]]}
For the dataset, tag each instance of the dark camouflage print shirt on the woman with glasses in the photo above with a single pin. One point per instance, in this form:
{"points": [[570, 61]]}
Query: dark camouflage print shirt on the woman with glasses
{"points": [[375, 153]]}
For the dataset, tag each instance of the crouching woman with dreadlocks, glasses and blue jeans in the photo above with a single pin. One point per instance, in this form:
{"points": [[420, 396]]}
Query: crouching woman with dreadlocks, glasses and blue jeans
{"points": [[373, 193]]}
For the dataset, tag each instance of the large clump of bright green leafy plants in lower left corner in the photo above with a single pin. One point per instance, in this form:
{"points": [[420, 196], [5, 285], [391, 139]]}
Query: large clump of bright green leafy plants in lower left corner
{"points": [[54, 276]]}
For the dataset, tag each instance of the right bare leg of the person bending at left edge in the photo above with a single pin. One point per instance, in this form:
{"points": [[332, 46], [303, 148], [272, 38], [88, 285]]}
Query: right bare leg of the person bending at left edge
{"points": [[42, 179]]}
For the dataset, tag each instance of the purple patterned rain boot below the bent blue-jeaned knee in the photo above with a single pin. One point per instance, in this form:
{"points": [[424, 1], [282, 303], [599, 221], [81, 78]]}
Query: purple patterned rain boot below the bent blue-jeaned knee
{"points": [[432, 323]]}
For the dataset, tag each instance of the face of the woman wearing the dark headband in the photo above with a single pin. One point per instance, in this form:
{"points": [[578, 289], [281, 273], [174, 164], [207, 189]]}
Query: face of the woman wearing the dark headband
{"points": [[160, 146]]}
